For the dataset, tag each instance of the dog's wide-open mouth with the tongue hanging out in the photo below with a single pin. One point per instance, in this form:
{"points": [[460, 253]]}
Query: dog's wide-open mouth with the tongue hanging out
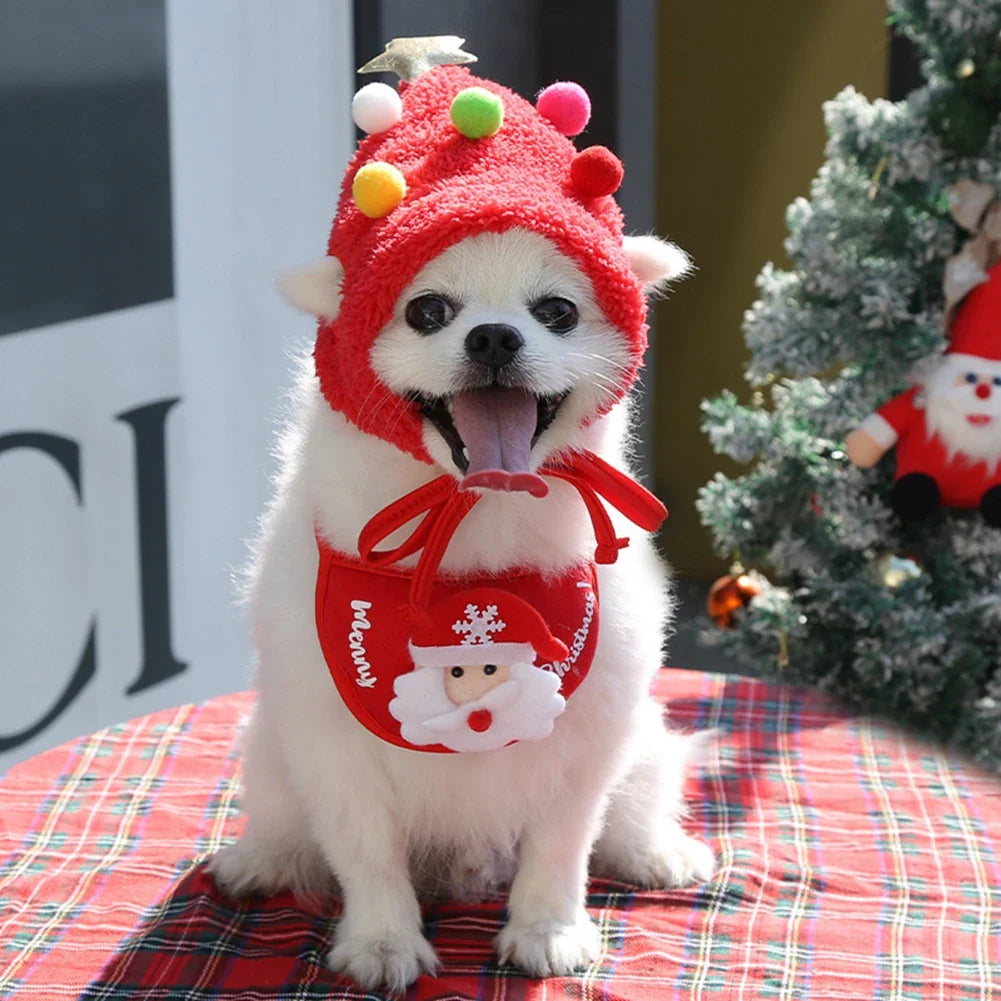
{"points": [[491, 432]]}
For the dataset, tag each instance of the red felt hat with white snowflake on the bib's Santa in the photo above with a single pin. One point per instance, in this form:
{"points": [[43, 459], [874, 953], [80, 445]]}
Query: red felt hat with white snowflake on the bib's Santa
{"points": [[483, 626]]}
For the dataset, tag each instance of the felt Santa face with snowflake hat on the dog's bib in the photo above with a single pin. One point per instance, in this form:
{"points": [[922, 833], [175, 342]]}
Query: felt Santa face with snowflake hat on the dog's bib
{"points": [[476, 685]]}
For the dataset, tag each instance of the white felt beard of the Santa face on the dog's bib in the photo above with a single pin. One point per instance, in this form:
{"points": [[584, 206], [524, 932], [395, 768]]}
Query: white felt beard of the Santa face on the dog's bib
{"points": [[526, 709]]}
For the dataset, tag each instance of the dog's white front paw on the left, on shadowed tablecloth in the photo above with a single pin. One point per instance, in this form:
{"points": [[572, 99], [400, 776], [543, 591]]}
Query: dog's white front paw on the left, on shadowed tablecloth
{"points": [[393, 961]]}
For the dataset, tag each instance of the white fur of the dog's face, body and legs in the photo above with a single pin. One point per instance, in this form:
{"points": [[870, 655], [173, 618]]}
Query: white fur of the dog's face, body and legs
{"points": [[324, 794]]}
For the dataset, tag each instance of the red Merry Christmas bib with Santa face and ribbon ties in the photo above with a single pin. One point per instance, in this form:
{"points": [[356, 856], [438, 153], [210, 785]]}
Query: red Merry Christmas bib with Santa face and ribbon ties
{"points": [[408, 650]]}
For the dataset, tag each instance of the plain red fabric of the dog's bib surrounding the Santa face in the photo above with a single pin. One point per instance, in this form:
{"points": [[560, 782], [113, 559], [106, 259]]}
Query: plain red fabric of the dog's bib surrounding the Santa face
{"points": [[365, 628]]}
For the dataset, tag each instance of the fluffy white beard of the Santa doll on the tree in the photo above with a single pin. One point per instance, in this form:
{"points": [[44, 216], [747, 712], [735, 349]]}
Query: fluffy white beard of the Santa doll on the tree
{"points": [[947, 409]]}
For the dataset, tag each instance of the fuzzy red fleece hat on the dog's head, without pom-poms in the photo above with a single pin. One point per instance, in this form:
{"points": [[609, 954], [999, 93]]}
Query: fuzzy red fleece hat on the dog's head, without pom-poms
{"points": [[459, 188]]}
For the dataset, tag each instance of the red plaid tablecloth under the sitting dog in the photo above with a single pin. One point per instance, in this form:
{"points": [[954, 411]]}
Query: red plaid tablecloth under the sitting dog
{"points": [[854, 863]]}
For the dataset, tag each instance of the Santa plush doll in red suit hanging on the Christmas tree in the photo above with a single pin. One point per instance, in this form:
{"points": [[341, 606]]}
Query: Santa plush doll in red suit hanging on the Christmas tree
{"points": [[947, 428]]}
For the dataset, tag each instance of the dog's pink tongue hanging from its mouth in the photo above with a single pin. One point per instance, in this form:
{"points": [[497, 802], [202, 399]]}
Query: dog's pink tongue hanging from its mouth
{"points": [[497, 426]]}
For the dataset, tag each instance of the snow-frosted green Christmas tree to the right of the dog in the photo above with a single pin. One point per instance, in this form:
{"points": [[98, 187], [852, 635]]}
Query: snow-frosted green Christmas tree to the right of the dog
{"points": [[885, 598]]}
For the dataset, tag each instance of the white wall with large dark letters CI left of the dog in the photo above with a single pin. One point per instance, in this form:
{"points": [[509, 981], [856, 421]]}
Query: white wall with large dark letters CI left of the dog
{"points": [[144, 434]]}
